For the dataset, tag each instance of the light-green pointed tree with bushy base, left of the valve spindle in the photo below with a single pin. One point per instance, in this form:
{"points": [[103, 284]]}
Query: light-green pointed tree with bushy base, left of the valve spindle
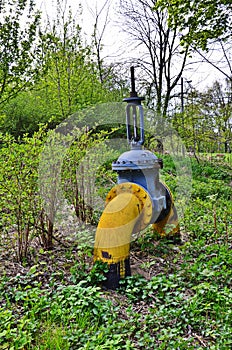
{"points": [[68, 82]]}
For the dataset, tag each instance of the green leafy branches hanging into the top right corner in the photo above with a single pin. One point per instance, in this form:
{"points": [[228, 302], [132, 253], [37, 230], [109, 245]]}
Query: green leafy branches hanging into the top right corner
{"points": [[199, 21]]}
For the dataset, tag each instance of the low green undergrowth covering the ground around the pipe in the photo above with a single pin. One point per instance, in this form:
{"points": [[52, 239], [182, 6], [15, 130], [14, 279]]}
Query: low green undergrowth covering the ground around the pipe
{"points": [[182, 298]]}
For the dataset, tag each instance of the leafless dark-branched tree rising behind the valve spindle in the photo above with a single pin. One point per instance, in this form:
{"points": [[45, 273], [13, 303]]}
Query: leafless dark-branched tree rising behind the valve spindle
{"points": [[161, 58]]}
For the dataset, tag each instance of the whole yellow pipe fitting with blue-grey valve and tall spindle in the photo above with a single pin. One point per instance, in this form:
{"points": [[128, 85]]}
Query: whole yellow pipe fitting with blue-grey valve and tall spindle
{"points": [[138, 200]]}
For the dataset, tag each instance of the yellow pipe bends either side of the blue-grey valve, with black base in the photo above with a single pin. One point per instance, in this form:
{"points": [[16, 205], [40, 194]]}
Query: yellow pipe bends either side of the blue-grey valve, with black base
{"points": [[128, 210]]}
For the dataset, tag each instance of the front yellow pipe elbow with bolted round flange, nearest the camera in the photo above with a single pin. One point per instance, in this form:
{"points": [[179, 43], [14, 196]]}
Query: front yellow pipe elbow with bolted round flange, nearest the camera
{"points": [[128, 210]]}
